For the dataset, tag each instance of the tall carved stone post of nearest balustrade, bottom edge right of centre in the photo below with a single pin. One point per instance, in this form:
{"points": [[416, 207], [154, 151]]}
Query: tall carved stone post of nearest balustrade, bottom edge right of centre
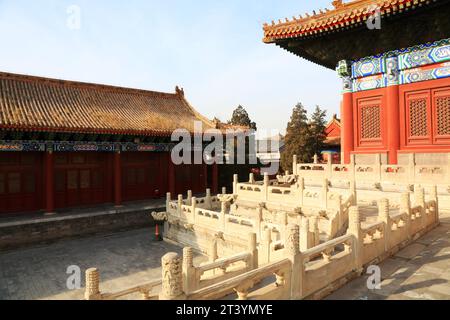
{"points": [[292, 252]]}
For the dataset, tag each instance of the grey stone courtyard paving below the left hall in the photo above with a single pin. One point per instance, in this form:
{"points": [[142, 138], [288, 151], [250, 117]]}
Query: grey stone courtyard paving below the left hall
{"points": [[124, 260]]}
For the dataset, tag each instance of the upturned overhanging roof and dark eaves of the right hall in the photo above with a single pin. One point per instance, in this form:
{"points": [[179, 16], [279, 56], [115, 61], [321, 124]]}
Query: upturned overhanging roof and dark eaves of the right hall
{"points": [[327, 36]]}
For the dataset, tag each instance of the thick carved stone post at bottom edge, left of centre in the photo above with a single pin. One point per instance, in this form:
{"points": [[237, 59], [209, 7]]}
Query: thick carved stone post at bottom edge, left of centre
{"points": [[172, 278]]}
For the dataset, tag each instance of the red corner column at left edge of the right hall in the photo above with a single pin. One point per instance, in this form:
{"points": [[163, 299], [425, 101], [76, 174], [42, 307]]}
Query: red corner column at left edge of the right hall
{"points": [[347, 121]]}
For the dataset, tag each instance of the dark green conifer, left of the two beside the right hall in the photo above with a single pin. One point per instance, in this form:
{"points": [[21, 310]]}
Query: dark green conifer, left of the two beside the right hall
{"points": [[297, 138]]}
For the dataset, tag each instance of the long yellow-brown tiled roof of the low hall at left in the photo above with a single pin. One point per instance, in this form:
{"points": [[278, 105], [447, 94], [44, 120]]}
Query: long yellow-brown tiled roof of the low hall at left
{"points": [[41, 104]]}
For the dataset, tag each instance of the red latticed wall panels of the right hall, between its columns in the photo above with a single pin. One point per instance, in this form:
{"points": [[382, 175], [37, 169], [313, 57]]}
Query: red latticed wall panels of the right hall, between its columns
{"points": [[424, 118]]}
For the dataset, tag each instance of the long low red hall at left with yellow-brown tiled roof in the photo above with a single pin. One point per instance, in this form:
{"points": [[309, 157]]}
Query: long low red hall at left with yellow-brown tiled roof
{"points": [[68, 144]]}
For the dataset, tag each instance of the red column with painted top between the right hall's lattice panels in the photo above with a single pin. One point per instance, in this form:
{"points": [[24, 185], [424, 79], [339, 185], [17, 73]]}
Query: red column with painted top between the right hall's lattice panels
{"points": [[393, 109]]}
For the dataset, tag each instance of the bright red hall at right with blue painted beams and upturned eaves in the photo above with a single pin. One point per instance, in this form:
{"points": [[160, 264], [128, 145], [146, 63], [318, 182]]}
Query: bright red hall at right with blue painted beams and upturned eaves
{"points": [[394, 59]]}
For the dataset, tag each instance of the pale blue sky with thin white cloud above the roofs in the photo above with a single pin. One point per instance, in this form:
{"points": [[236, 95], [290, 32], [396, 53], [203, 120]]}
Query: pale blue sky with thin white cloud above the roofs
{"points": [[213, 49]]}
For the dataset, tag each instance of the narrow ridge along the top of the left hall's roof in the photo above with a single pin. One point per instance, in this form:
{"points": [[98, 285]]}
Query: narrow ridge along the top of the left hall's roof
{"points": [[87, 85]]}
